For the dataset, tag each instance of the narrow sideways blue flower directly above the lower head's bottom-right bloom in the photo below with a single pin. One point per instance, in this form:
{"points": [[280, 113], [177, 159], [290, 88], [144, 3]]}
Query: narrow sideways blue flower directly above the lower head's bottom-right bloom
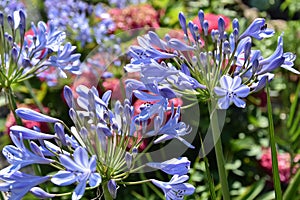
{"points": [[174, 166]]}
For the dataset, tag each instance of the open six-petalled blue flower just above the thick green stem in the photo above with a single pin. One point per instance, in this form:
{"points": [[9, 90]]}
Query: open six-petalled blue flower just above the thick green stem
{"points": [[230, 91]]}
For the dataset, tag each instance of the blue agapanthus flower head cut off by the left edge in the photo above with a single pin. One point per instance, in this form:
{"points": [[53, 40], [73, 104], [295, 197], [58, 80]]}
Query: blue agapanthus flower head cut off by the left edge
{"points": [[27, 55]]}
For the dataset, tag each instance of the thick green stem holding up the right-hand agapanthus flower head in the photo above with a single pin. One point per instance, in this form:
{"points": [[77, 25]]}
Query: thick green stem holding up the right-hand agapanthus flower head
{"points": [[218, 150]]}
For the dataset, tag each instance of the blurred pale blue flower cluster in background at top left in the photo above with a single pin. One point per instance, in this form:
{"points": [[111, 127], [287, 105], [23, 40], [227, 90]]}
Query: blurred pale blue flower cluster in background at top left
{"points": [[85, 23]]}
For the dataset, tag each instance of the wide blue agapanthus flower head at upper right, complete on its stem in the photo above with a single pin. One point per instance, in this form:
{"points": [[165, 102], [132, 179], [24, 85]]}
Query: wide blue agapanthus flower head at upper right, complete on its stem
{"points": [[211, 64]]}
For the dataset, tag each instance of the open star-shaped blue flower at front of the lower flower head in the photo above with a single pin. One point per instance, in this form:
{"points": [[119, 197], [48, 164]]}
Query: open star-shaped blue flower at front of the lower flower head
{"points": [[80, 169]]}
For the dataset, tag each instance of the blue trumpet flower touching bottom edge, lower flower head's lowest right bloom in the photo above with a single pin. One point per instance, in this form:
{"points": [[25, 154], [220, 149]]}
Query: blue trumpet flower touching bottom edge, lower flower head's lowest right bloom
{"points": [[175, 188]]}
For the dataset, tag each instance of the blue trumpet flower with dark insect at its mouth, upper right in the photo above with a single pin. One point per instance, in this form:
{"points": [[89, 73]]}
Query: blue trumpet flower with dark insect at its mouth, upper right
{"points": [[257, 29]]}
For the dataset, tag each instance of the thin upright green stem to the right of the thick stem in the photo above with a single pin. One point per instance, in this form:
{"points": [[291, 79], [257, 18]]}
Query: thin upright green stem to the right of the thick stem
{"points": [[276, 178]]}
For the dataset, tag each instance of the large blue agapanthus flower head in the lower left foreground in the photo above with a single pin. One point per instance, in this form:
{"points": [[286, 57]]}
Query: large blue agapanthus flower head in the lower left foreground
{"points": [[101, 147]]}
